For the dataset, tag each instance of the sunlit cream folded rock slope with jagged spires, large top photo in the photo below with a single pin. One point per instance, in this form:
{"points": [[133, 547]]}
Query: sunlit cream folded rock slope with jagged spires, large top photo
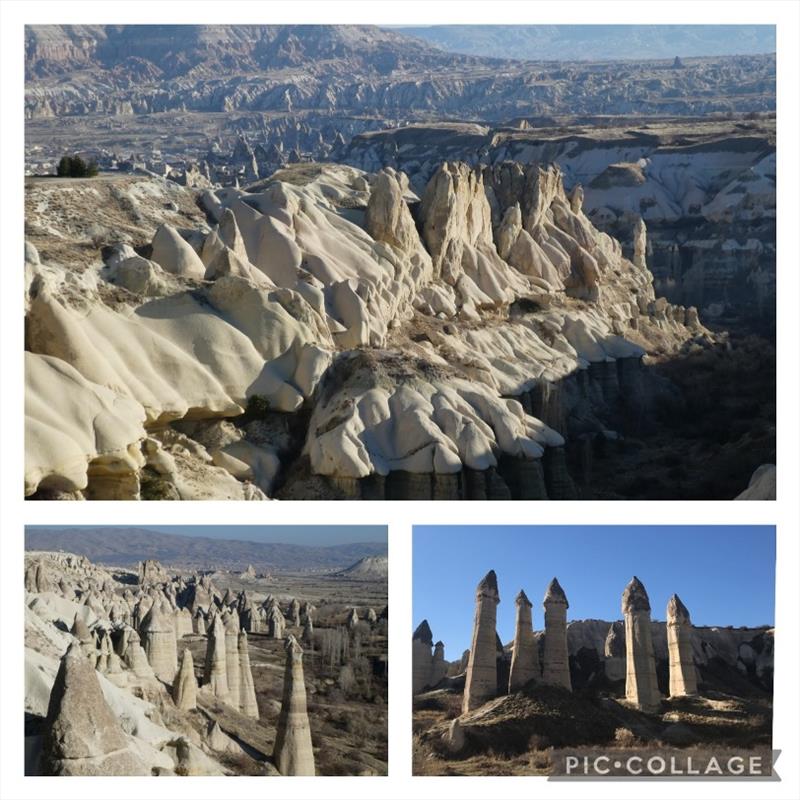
{"points": [[316, 339]]}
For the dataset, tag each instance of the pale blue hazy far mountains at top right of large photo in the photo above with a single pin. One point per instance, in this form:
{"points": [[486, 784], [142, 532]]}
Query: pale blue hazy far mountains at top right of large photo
{"points": [[597, 42]]}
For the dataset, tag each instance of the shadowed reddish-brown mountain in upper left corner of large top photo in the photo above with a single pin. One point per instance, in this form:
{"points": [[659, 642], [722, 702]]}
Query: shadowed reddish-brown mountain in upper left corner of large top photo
{"points": [[157, 52]]}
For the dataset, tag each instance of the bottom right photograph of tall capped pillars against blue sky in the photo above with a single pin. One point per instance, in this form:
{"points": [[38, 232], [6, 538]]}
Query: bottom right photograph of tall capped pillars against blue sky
{"points": [[593, 651]]}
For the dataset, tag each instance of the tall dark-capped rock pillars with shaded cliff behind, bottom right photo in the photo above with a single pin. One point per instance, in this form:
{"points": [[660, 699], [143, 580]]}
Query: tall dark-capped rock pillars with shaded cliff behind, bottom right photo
{"points": [[627, 650]]}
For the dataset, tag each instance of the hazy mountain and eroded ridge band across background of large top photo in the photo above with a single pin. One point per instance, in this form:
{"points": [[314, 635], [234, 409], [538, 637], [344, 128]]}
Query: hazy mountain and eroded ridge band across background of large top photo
{"points": [[125, 70]]}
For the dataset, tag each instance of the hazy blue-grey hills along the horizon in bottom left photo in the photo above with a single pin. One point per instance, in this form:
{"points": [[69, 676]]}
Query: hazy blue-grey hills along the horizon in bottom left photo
{"points": [[125, 547]]}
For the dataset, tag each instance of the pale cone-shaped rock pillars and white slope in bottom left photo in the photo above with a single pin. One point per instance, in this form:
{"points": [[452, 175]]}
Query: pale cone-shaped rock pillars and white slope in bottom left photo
{"points": [[120, 683]]}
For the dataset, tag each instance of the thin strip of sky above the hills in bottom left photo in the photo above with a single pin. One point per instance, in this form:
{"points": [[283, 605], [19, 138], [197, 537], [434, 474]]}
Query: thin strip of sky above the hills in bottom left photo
{"points": [[317, 535]]}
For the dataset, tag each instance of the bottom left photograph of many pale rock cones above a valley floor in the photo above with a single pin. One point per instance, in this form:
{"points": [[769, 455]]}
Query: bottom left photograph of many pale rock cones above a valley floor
{"points": [[206, 650]]}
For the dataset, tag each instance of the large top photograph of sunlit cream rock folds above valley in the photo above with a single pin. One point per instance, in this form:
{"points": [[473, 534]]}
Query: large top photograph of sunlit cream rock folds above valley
{"points": [[453, 262]]}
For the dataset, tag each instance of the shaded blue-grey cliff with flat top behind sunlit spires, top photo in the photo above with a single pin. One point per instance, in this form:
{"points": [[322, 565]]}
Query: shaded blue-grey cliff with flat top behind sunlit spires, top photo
{"points": [[706, 190]]}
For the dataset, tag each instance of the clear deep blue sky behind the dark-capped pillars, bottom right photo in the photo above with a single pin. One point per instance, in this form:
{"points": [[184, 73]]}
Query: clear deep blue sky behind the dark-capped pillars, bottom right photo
{"points": [[725, 575]]}
